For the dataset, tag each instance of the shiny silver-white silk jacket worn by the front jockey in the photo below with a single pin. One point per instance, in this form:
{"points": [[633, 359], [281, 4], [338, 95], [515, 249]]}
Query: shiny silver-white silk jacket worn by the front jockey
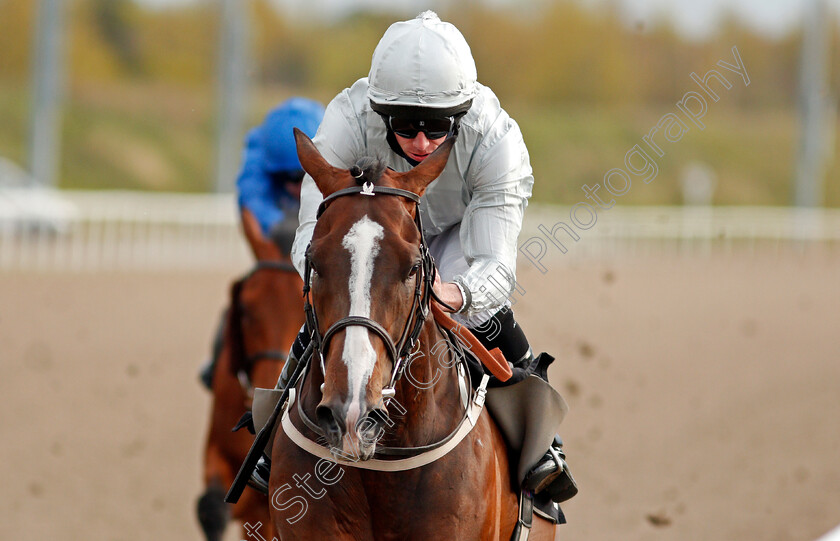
{"points": [[485, 186]]}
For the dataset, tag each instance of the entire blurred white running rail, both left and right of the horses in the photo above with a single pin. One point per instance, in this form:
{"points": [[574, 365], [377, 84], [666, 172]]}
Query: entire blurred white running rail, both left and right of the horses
{"points": [[142, 231]]}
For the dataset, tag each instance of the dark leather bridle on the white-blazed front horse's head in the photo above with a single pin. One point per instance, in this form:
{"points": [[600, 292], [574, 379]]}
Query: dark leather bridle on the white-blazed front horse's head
{"points": [[401, 350]]}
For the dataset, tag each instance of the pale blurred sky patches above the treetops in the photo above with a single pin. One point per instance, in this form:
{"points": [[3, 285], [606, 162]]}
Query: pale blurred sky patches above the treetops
{"points": [[695, 18]]}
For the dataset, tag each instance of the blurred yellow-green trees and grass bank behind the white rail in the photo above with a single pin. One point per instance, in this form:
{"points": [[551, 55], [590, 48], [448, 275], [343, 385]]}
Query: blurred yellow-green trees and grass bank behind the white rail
{"points": [[584, 85]]}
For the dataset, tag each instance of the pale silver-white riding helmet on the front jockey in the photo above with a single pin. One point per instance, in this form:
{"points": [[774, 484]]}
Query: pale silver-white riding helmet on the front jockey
{"points": [[423, 63]]}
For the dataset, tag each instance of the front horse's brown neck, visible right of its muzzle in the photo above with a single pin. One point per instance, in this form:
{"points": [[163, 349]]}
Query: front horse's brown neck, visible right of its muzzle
{"points": [[428, 394]]}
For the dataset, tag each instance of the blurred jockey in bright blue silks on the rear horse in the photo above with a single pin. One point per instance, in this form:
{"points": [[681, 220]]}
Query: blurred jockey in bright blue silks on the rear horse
{"points": [[270, 179]]}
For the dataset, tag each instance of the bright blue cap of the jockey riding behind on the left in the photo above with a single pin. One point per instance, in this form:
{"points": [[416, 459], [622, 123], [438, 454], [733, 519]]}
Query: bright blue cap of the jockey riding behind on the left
{"points": [[277, 133]]}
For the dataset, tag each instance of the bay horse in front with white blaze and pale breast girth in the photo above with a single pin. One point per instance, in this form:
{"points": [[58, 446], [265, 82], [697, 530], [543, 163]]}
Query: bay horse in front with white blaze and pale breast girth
{"points": [[370, 288]]}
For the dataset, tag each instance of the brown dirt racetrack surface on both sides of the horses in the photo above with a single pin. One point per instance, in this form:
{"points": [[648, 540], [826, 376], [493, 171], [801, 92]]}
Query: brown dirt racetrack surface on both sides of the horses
{"points": [[704, 393]]}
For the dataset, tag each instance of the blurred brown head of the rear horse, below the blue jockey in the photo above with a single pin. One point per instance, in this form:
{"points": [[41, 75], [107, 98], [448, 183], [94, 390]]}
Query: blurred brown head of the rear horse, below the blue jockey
{"points": [[265, 310]]}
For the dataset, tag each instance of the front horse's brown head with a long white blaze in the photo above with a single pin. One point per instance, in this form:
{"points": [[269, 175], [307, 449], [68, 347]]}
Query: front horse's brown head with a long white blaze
{"points": [[367, 267]]}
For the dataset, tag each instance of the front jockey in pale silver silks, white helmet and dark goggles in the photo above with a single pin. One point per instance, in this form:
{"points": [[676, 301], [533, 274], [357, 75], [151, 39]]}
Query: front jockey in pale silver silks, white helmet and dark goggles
{"points": [[422, 89]]}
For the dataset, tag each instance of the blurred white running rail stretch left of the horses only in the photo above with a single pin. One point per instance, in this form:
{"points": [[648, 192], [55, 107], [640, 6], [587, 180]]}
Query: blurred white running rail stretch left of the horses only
{"points": [[129, 231]]}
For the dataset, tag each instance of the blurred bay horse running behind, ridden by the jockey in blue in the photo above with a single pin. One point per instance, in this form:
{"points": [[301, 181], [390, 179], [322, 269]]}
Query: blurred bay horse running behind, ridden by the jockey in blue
{"points": [[263, 318]]}
